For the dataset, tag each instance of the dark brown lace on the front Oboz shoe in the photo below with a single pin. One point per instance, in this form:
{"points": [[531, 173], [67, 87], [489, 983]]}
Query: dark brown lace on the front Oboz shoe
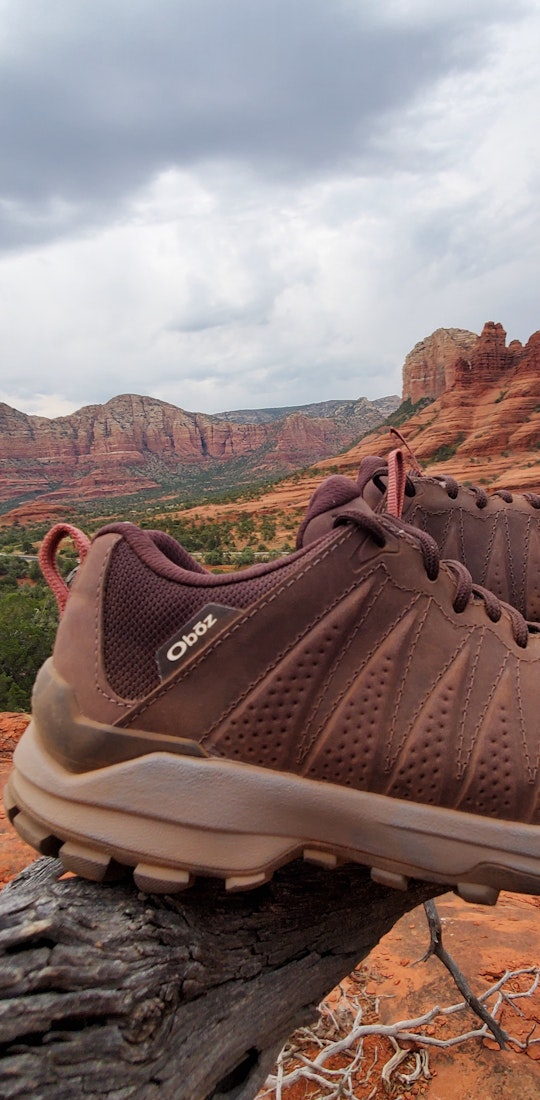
{"points": [[466, 589]]}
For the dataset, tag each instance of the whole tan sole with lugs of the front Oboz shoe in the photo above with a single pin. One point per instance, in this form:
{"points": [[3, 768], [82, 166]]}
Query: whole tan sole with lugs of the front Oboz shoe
{"points": [[173, 818]]}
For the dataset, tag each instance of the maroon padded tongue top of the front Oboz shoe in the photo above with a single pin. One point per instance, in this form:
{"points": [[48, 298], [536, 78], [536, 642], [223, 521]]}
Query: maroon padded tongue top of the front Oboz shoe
{"points": [[336, 496]]}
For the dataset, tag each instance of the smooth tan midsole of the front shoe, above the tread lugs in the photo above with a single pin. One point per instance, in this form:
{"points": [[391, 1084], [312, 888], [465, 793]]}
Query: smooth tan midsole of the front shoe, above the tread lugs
{"points": [[223, 816]]}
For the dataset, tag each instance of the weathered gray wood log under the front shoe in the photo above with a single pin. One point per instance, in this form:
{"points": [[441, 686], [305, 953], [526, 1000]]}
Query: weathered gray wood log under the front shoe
{"points": [[106, 993]]}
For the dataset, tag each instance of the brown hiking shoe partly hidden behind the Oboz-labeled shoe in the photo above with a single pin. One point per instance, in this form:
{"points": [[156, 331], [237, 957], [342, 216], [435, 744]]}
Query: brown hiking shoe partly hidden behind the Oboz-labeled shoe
{"points": [[497, 535]]}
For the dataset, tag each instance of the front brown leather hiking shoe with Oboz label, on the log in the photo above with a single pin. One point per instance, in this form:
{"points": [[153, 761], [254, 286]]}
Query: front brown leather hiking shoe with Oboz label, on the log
{"points": [[357, 701]]}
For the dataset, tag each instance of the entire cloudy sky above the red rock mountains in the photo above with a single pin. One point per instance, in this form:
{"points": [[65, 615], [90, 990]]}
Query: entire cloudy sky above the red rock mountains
{"points": [[234, 204]]}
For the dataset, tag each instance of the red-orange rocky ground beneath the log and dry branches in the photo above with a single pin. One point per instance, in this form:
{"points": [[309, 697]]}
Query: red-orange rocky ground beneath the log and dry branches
{"points": [[393, 985]]}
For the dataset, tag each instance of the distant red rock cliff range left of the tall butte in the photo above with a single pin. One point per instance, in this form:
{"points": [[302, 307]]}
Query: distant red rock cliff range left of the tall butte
{"points": [[136, 444]]}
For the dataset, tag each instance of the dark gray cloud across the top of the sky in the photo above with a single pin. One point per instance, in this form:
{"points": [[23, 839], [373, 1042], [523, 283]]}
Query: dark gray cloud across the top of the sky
{"points": [[98, 98]]}
